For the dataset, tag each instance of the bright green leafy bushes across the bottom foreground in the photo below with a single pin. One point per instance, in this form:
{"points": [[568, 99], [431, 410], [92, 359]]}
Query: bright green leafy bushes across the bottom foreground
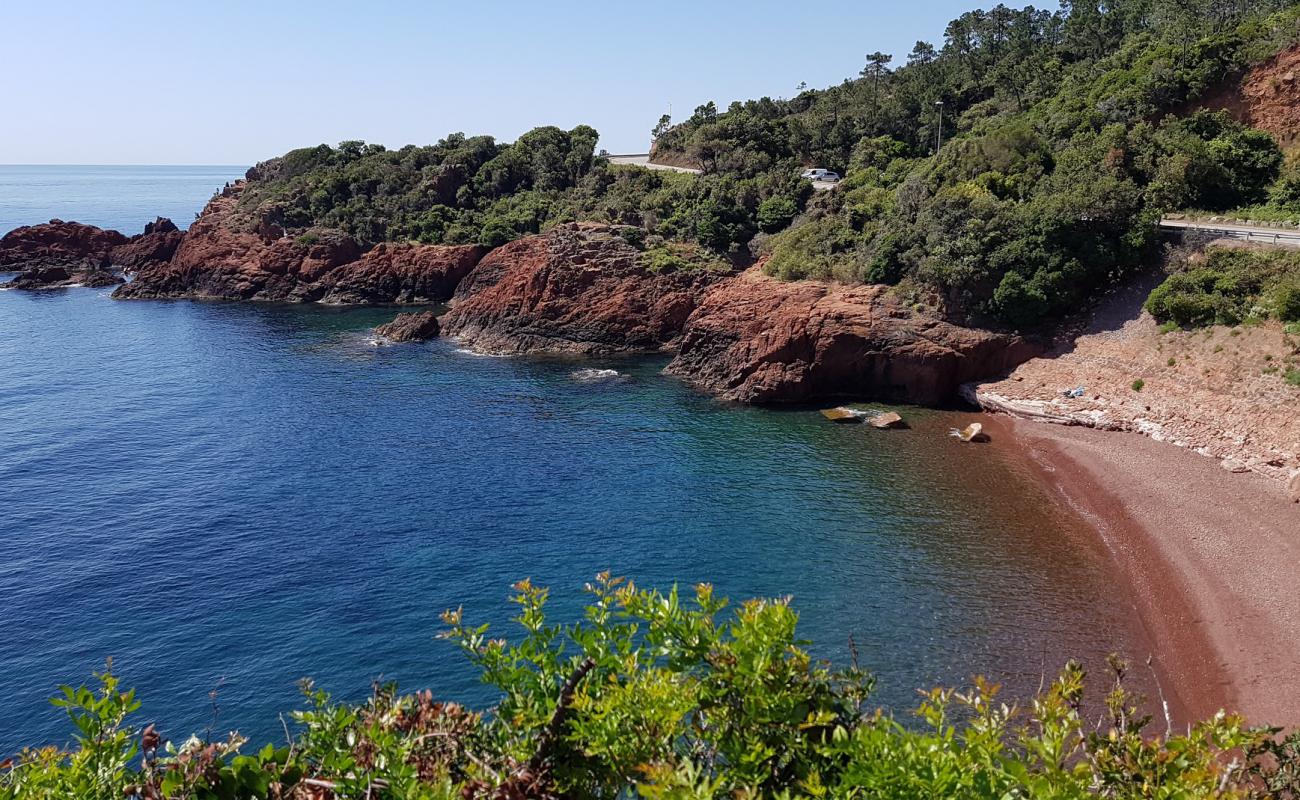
{"points": [[653, 697]]}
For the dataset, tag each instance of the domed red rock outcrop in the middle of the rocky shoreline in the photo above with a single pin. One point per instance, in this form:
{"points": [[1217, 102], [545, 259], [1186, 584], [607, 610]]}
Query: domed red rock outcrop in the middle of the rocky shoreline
{"points": [[580, 288]]}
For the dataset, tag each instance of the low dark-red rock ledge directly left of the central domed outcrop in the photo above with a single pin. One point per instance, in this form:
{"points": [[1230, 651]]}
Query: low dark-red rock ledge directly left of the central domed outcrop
{"points": [[401, 274]]}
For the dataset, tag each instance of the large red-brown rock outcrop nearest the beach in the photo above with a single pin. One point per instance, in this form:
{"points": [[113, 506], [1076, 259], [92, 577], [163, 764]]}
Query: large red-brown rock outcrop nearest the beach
{"points": [[759, 340]]}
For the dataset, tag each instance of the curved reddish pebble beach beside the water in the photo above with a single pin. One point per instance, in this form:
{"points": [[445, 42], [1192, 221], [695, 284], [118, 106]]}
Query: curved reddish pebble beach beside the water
{"points": [[1212, 560]]}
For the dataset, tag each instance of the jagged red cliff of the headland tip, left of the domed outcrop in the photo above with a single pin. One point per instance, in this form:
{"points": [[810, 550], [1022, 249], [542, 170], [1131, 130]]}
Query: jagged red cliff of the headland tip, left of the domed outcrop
{"points": [[223, 257]]}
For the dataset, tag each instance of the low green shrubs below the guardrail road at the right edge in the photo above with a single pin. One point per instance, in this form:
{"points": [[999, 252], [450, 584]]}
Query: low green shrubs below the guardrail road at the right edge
{"points": [[1229, 287]]}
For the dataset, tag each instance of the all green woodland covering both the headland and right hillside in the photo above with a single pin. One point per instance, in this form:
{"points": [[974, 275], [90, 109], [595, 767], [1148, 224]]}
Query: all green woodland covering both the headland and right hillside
{"points": [[1064, 135]]}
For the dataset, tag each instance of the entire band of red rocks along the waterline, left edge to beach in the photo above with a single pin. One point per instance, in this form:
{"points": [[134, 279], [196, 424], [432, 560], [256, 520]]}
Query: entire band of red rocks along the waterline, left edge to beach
{"points": [[577, 289]]}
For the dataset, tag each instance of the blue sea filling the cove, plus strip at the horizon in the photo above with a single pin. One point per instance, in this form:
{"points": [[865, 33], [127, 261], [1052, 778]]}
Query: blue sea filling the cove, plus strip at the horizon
{"points": [[229, 498]]}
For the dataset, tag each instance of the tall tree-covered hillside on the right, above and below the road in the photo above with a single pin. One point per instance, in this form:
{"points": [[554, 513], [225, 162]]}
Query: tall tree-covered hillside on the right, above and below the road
{"points": [[1064, 136]]}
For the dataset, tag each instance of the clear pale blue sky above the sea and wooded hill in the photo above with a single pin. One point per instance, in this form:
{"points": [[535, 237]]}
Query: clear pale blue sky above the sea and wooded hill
{"points": [[233, 83]]}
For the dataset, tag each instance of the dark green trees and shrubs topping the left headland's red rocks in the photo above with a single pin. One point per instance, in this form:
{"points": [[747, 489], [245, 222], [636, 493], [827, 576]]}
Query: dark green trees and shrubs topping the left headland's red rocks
{"points": [[467, 191]]}
